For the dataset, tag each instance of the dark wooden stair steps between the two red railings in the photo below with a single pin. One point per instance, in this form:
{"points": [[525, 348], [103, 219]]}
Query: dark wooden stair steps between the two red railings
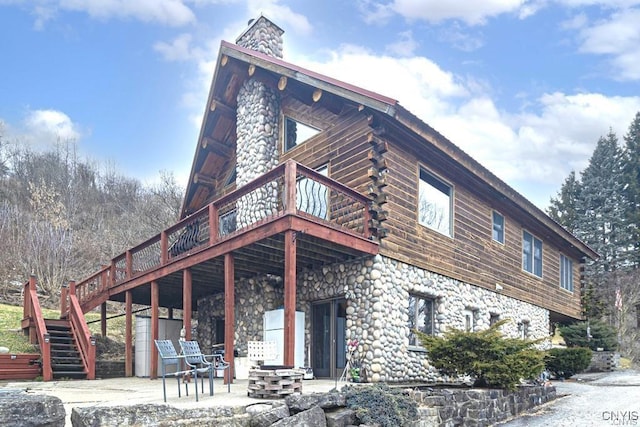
{"points": [[65, 355]]}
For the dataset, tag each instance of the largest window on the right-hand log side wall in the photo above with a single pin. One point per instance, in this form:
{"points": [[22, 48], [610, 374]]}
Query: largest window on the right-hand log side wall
{"points": [[435, 202]]}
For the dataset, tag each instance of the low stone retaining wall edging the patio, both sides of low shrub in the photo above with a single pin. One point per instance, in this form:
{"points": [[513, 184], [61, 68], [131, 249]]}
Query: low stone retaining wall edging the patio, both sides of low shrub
{"points": [[436, 407]]}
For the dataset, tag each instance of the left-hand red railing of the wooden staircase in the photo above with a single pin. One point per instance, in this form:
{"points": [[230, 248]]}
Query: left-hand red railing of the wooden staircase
{"points": [[34, 321]]}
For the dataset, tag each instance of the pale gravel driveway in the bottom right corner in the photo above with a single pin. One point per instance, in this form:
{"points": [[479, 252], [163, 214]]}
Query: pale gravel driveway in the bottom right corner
{"points": [[600, 399]]}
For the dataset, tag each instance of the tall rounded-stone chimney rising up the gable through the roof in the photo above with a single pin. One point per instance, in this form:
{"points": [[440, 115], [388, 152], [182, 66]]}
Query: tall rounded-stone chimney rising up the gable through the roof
{"points": [[257, 126]]}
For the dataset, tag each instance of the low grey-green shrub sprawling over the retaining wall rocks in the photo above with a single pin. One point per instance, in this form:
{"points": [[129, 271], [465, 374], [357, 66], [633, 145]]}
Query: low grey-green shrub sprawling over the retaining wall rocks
{"points": [[381, 405]]}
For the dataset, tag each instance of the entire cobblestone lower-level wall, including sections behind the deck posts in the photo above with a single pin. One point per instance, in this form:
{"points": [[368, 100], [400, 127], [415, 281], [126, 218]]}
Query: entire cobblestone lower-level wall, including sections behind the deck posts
{"points": [[377, 293]]}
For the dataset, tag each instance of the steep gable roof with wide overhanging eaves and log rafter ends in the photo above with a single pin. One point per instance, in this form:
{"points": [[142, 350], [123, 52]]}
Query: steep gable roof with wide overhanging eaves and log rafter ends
{"points": [[215, 153]]}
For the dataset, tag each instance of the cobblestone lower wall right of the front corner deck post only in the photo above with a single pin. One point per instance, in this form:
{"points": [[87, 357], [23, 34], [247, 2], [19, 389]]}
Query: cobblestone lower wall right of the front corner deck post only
{"points": [[377, 292]]}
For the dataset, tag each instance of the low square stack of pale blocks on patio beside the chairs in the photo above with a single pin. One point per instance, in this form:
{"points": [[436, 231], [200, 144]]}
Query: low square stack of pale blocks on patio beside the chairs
{"points": [[274, 383]]}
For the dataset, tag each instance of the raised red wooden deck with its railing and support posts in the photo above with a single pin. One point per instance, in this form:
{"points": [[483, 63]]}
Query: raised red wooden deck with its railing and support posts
{"points": [[289, 220]]}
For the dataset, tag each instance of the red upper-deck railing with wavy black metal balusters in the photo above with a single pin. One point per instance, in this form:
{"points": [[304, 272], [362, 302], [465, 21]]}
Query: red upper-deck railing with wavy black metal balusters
{"points": [[288, 189]]}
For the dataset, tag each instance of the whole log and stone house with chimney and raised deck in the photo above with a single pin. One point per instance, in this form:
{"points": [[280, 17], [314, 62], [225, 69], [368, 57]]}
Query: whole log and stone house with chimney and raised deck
{"points": [[311, 195]]}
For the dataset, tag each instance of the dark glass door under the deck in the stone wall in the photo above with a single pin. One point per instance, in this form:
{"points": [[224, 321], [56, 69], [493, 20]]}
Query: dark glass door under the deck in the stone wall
{"points": [[328, 338]]}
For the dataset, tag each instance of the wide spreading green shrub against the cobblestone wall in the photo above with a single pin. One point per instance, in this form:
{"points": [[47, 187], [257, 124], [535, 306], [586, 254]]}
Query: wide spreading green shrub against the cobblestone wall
{"points": [[492, 359]]}
